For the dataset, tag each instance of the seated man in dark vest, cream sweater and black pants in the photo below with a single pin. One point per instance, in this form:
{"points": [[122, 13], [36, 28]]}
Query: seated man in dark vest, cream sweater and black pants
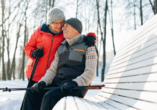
{"points": [[74, 65]]}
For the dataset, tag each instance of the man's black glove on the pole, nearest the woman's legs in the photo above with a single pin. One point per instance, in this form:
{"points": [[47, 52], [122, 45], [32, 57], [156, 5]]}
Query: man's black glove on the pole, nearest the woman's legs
{"points": [[37, 87]]}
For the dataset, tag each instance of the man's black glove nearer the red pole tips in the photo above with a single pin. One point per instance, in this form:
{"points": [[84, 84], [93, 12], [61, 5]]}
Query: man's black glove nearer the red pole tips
{"points": [[67, 87]]}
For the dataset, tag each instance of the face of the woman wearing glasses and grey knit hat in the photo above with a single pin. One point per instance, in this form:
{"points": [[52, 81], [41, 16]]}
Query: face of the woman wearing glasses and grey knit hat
{"points": [[57, 25]]}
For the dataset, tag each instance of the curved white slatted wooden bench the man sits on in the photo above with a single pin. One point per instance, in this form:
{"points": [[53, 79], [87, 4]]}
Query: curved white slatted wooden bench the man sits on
{"points": [[131, 82]]}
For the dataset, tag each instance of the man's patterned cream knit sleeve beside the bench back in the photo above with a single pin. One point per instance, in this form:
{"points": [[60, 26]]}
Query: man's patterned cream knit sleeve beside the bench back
{"points": [[90, 68]]}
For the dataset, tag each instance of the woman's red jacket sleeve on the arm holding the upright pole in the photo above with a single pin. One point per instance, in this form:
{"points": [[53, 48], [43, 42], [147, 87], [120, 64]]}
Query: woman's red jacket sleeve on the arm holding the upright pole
{"points": [[31, 44]]}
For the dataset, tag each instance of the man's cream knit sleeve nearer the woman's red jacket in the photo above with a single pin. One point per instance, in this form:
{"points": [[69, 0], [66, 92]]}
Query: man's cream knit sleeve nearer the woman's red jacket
{"points": [[51, 72]]}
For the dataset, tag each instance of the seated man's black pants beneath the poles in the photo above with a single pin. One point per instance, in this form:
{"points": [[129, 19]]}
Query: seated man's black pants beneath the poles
{"points": [[46, 99]]}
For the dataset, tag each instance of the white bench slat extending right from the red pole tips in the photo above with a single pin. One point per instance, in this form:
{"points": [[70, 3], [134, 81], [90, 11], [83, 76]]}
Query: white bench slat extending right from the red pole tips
{"points": [[149, 86]]}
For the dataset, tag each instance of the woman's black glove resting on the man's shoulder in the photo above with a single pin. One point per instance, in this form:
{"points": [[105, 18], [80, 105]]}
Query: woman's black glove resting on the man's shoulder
{"points": [[90, 40]]}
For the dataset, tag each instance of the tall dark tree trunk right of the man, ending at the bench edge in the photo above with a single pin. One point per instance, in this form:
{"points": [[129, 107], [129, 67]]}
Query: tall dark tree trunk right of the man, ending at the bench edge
{"points": [[104, 42]]}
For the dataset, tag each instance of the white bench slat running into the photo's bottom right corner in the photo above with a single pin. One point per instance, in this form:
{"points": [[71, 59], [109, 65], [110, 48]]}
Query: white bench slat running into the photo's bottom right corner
{"points": [[131, 102]]}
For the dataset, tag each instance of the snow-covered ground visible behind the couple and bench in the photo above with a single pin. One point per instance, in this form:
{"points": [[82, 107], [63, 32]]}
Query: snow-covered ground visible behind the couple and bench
{"points": [[12, 100]]}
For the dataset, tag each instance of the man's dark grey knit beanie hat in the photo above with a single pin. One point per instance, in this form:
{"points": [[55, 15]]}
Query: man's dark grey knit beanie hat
{"points": [[75, 23]]}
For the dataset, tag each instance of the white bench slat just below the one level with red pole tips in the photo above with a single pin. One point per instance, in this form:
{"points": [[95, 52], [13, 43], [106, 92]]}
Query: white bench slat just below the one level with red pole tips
{"points": [[142, 95]]}
